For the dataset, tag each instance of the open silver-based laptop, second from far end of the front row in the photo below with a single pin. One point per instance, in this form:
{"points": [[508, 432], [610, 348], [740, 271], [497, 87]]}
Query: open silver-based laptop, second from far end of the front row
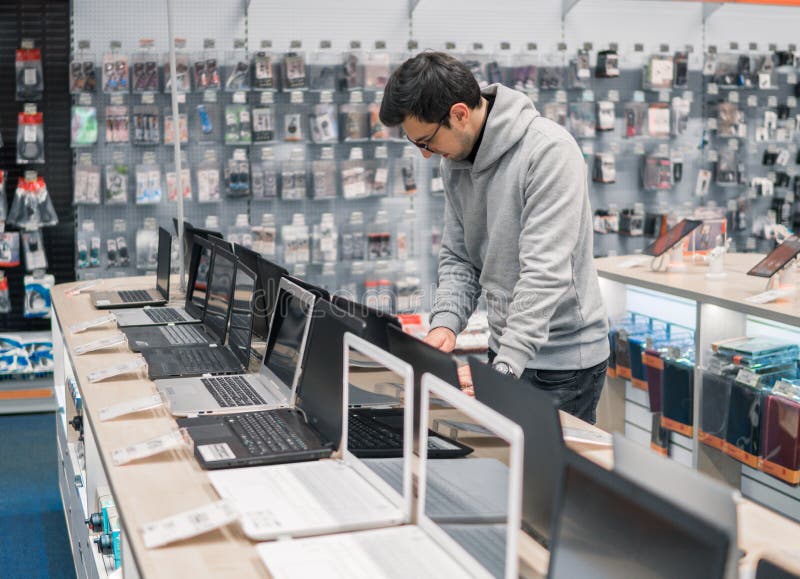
{"points": [[194, 305]]}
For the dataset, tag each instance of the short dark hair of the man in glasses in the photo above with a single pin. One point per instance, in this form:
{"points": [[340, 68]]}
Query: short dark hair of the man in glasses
{"points": [[425, 87]]}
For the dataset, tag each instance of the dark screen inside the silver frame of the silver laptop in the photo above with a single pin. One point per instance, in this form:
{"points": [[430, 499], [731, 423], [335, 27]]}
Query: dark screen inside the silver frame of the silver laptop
{"points": [[286, 337]]}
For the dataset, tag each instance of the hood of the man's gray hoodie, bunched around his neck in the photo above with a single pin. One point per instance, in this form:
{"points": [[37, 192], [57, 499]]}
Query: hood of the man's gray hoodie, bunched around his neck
{"points": [[508, 122]]}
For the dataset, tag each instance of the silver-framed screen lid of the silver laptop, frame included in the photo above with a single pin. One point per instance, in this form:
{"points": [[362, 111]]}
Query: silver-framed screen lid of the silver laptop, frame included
{"points": [[287, 337]]}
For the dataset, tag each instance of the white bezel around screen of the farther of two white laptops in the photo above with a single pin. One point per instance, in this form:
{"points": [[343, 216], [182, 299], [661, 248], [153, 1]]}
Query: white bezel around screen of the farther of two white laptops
{"points": [[396, 365]]}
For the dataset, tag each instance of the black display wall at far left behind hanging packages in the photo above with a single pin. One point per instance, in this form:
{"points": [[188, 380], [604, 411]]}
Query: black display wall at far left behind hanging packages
{"points": [[47, 23]]}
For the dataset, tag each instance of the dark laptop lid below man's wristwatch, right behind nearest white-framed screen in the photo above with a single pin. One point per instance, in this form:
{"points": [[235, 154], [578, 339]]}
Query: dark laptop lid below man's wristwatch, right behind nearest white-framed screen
{"points": [[536, 412]]}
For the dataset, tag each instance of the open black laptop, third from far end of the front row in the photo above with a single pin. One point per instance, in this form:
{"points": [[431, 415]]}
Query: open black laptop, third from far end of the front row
{"points": [[211, 331]]}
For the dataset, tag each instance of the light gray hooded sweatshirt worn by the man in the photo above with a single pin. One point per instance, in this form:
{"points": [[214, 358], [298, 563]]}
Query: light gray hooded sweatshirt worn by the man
{"points": [[518, 225]]}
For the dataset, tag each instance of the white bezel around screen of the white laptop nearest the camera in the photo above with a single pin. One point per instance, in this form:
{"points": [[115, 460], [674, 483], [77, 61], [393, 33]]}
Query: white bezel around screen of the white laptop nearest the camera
{"points": [[503, 428]]}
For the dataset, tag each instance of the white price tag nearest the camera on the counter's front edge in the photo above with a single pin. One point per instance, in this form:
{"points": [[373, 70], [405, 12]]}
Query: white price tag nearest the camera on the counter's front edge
{"points": [[188, 524]]}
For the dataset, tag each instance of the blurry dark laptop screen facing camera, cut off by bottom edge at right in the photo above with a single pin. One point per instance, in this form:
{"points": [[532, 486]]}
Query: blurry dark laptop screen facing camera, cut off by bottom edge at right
{"points": [[607, 526]]}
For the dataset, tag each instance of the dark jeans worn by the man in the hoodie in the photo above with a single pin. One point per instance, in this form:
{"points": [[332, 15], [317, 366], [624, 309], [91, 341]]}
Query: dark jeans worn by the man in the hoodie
{"points": [[575, 391]]}
